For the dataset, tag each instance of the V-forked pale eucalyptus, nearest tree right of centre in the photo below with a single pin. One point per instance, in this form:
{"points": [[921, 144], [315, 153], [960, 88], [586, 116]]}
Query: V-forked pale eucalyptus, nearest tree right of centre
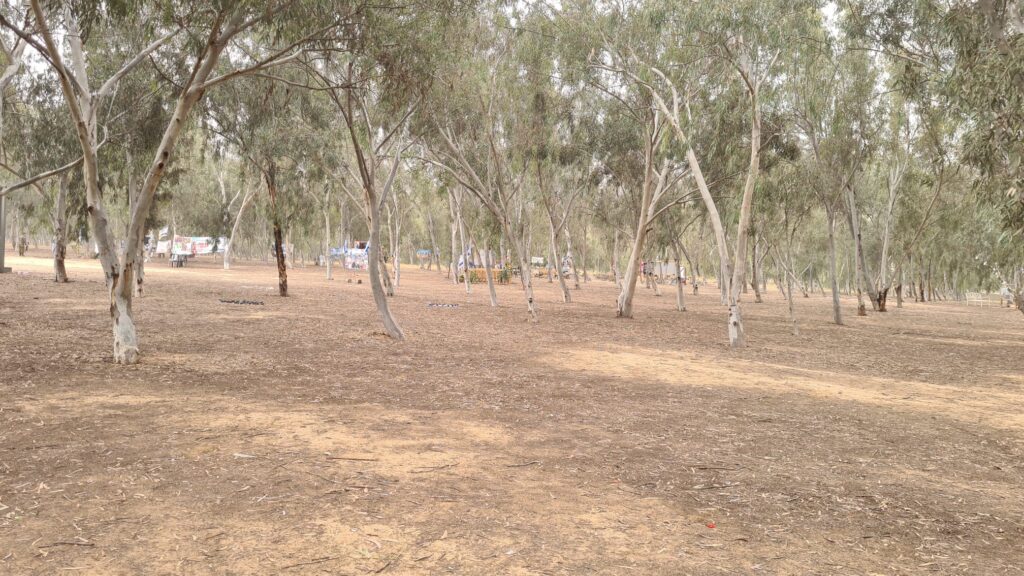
{"points": [[745, 39]]}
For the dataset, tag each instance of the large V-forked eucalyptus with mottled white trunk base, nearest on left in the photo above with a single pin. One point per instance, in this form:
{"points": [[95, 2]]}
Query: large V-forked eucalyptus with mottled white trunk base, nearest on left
{"points": [[197, 37]]}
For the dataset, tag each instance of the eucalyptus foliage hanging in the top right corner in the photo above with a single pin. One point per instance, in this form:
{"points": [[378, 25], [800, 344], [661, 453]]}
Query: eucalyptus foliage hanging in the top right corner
{"points": [[968, 58]]}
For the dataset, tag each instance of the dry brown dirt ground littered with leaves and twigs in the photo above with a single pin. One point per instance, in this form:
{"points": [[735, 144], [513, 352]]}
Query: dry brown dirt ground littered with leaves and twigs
{"points": [[293, 438]]}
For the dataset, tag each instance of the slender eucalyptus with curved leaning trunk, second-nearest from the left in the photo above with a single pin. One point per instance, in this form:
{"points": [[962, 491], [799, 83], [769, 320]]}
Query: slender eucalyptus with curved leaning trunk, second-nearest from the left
{"points": [[375, 88]]}
